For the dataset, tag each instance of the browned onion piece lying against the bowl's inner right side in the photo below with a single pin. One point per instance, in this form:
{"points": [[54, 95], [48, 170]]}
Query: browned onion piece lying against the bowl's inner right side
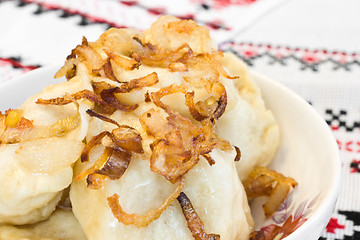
{"points": [[266, 182]]}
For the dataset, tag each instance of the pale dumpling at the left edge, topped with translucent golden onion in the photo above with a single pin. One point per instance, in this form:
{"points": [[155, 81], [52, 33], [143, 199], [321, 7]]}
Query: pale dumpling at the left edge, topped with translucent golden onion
{"points": [[40, 144]]}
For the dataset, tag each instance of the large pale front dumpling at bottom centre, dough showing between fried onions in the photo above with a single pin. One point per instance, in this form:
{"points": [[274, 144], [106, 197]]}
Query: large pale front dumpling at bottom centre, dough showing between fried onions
{"points": [[215, 192]]}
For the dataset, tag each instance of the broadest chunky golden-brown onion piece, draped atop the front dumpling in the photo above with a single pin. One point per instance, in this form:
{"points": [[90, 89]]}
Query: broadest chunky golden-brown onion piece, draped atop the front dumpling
{"points": [[178, 143]]}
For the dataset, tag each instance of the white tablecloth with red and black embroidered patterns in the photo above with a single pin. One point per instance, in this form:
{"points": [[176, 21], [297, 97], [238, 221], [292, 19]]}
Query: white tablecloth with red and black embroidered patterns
{"points": [[312, 47]]}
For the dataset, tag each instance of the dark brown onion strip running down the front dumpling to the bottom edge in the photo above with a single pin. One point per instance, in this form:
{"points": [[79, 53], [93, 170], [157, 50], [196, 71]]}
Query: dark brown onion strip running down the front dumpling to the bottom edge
{"points": [[194, 222]]}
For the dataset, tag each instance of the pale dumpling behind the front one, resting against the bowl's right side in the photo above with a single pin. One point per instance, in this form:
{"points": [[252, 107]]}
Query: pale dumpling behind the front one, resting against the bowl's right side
{"points": [[257, 132]]}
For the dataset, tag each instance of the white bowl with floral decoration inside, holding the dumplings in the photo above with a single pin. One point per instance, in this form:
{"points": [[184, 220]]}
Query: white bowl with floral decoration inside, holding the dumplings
{"points": [[308, 151]]}
